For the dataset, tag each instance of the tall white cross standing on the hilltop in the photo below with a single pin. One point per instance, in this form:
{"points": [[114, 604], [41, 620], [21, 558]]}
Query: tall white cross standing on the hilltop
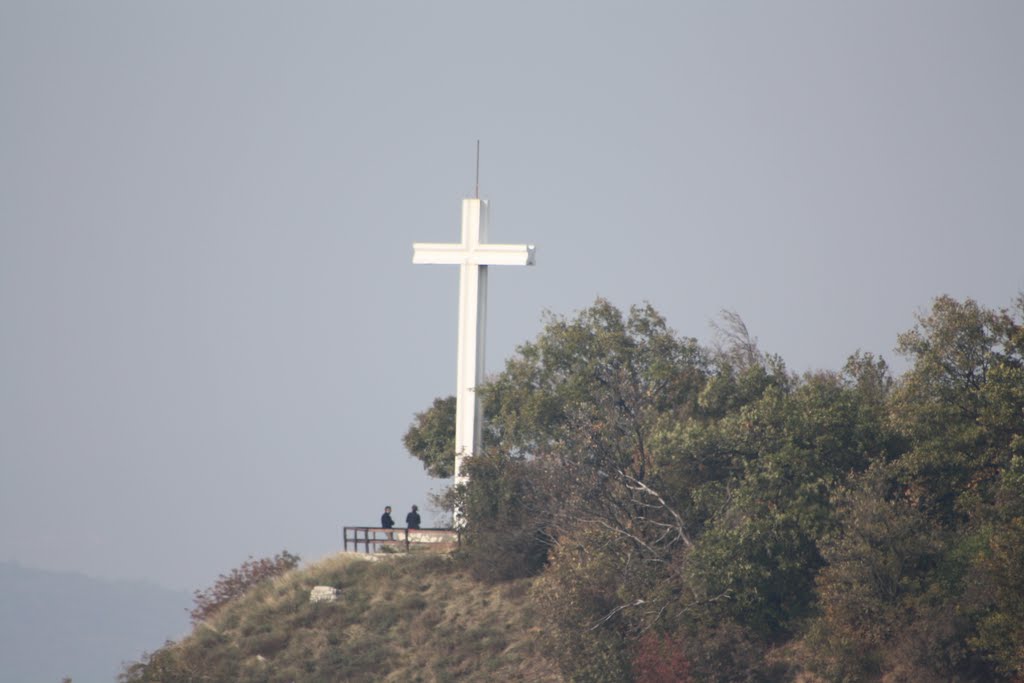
{"points": [[474, 257]]}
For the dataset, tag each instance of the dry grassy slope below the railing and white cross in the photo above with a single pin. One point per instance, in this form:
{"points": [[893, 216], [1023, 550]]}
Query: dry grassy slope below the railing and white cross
{"points": [[400, 619]]}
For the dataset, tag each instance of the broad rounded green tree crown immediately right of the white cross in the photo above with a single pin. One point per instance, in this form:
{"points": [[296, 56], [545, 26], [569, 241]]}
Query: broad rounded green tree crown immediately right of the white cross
{"points": [[595, 388]]}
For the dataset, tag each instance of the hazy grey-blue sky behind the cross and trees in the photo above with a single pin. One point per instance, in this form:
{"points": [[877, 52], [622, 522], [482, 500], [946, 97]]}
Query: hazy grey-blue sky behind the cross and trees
{"points": [[212, 336]]}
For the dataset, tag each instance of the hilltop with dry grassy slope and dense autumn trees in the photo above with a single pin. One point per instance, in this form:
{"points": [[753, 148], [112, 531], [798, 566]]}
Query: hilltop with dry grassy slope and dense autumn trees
{"points": [[649, 509]]}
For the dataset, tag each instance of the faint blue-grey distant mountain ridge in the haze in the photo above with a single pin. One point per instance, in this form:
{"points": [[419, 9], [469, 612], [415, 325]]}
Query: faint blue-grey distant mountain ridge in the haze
{"points": [[56, 625]]}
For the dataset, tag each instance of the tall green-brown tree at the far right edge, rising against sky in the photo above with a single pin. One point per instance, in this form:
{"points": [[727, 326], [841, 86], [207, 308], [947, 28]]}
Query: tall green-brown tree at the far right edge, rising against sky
{"points": [[959, 406]]}
